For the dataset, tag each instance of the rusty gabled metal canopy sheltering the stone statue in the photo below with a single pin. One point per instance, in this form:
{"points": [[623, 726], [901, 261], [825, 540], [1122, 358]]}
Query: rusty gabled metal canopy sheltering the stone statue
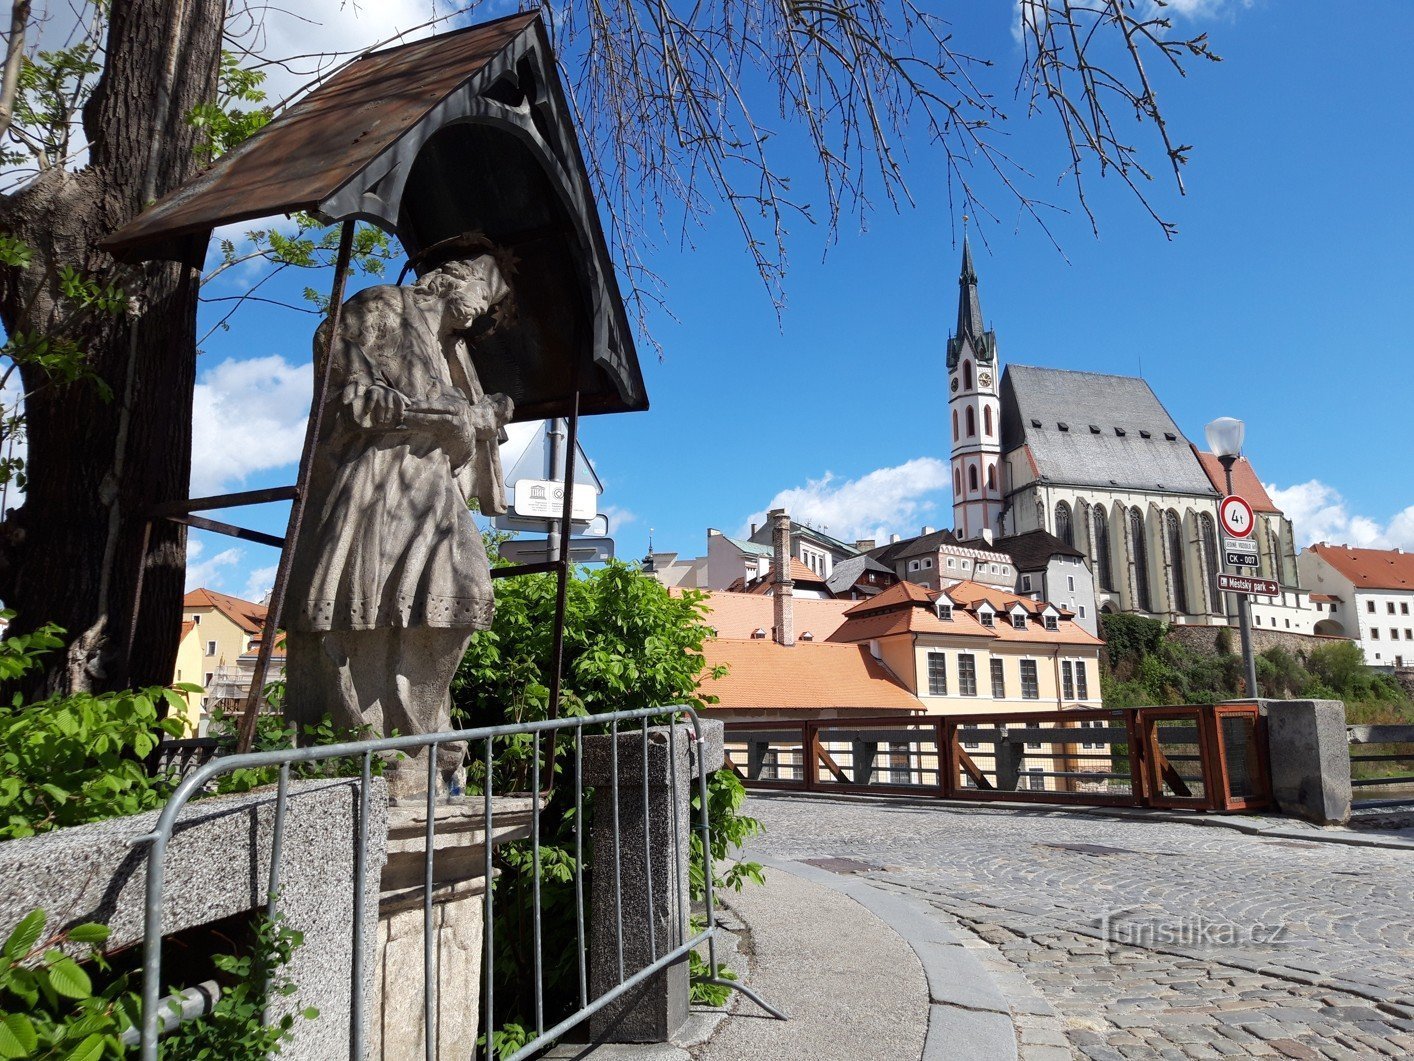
{"points": [[462, 134]]}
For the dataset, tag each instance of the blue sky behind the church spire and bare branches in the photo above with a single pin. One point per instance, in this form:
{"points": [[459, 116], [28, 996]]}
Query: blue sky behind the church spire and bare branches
{"points": [[1285, 299]]}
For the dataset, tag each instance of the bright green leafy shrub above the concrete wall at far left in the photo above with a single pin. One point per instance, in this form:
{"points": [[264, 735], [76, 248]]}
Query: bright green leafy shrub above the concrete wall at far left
{"points": [[76, 759]]}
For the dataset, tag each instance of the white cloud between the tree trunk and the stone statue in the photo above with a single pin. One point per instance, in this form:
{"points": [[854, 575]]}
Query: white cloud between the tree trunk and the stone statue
{"points": [[248, 417]]}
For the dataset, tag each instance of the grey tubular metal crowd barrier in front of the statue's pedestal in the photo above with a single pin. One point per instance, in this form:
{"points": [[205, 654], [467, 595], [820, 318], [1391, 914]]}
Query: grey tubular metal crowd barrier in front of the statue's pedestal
{"points": [[363, 753]]}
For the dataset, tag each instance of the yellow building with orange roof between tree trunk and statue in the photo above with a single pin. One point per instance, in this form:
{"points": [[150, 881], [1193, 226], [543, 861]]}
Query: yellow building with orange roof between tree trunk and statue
{"points": [[218, 640]]}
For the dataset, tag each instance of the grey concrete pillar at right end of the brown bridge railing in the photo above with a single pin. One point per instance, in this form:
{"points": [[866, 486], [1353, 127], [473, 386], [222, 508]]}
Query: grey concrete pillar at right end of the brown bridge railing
{"points": [[1310, 759]]}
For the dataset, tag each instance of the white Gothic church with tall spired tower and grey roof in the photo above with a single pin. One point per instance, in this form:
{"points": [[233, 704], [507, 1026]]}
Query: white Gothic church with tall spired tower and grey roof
{"points": [[1098, 462]]}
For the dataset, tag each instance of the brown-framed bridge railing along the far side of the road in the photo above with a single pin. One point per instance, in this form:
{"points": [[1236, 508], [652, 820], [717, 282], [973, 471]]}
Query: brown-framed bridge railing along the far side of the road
{"points": [[1200, 758]]}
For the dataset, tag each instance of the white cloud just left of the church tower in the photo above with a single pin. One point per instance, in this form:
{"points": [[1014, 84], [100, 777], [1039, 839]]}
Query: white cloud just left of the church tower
{"points": [[887, 500]]}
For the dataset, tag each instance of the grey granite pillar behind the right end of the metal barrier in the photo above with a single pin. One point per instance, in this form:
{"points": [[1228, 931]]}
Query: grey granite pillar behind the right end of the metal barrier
{"points": [[651, 868]]}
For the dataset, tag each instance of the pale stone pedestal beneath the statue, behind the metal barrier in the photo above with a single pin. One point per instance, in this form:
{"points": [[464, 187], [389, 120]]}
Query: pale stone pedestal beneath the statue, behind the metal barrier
{"points": [[459, 895]]}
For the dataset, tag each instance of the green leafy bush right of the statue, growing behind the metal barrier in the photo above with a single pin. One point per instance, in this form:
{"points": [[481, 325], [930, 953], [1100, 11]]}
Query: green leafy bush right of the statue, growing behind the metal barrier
{"points": [[629, 644]]}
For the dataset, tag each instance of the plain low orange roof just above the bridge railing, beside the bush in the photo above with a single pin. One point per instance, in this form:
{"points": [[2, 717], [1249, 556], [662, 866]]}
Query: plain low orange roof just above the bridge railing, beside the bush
{"points": [[808, 677]]}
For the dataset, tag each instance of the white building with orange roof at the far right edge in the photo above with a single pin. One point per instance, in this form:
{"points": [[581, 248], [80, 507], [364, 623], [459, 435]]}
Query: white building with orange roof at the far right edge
{"points": [[1367, 595]]}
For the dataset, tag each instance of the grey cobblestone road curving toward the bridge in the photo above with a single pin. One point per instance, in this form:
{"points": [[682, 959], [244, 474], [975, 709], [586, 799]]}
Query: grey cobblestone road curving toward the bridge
{"points": [[1126, 939]]}
